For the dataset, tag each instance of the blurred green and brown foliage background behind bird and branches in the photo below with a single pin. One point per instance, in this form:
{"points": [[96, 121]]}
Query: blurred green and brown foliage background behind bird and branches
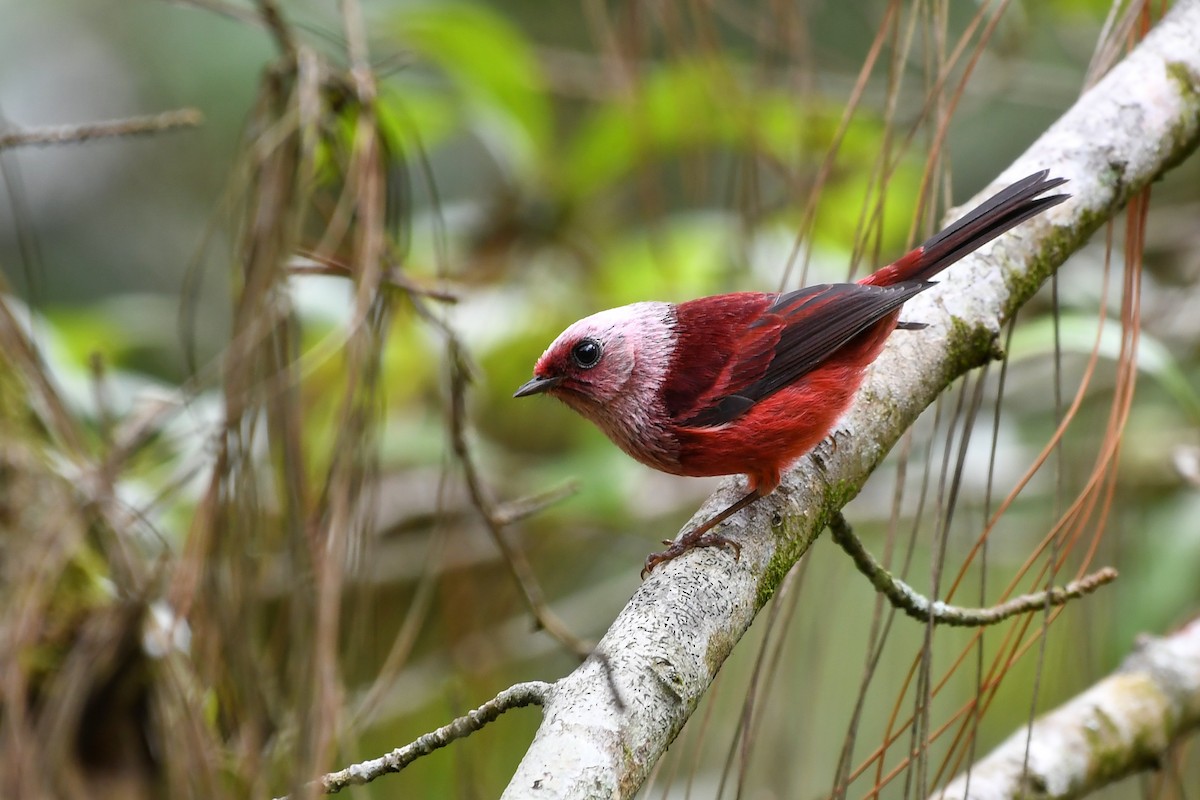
{"points": [[543, 163]]}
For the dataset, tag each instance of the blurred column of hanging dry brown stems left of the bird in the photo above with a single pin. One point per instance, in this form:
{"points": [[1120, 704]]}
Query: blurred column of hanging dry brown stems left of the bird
{"points": [[308, 507]]}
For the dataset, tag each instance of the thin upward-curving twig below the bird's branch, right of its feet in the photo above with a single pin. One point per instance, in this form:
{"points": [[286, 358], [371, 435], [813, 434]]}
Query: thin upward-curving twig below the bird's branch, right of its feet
{"points": [[920, 607]]}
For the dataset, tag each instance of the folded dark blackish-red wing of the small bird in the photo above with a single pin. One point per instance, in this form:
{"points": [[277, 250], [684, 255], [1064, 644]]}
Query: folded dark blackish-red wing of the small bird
{"points": [[795, 334]]}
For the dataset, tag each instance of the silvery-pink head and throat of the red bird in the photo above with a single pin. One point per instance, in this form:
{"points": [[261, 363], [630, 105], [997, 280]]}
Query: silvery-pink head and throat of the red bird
{"points": [[621, 395]]}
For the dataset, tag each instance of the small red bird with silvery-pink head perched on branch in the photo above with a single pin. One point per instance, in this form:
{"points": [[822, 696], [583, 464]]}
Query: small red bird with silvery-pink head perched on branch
{"points": [[748, 383]]}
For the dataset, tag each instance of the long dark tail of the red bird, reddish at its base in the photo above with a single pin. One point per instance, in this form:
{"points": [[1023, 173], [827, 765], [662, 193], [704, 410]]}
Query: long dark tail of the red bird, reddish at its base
{"points": [[1004, 210]]}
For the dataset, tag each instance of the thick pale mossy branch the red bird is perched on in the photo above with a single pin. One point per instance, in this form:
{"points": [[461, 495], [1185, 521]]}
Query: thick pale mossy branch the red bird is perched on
{"points": [[608, 724]]}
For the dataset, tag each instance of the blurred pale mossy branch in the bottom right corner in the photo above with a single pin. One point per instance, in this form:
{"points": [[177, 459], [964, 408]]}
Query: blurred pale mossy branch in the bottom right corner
{"points": [[1121, 725]]}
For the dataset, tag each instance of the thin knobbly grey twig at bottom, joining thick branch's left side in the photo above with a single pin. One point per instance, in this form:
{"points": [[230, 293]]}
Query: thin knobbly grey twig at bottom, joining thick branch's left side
{"points": [[521, 695]]}
